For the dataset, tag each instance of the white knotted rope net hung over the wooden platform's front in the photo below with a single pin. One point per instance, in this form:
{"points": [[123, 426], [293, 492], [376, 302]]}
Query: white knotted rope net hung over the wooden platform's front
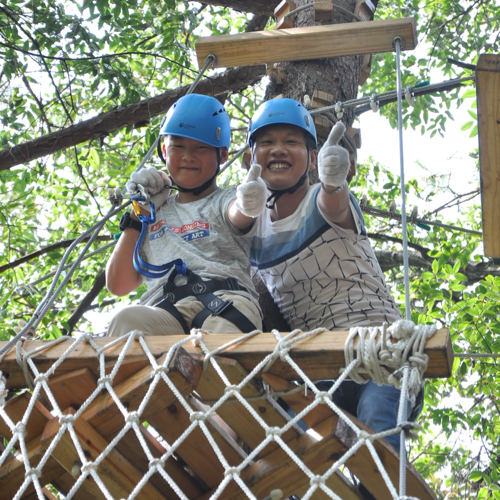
{"points": [[137, 424]]}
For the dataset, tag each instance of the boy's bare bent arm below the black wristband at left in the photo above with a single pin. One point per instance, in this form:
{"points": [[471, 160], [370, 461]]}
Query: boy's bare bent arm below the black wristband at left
{"points": [[121, 276]]}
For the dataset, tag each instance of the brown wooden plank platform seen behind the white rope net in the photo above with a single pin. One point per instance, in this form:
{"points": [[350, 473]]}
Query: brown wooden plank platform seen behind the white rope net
{"points": [[194, 467]]}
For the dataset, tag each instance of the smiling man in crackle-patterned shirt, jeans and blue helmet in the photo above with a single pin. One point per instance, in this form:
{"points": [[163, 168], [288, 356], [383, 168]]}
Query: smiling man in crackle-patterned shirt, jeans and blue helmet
{"points": [[311, 248]]}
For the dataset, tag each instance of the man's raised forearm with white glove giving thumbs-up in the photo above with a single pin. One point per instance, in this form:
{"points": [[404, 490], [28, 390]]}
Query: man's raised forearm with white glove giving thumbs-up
{"points": [[333, 166]]}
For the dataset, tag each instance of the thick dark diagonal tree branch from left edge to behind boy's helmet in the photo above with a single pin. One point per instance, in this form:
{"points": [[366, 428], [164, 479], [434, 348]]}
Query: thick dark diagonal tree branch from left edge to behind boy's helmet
{"points": [[235, 79]]}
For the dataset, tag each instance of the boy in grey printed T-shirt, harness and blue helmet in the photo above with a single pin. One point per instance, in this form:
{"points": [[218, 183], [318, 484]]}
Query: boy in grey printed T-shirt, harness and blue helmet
{"points": [[206, 228]]}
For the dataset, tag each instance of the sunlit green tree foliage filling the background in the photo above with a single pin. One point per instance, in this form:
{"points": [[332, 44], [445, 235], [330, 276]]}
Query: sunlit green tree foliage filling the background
{"points": [[63, 62]]}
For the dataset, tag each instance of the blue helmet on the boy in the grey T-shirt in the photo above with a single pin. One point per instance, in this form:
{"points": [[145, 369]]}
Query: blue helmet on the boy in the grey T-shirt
{"points": [[199, 117]]}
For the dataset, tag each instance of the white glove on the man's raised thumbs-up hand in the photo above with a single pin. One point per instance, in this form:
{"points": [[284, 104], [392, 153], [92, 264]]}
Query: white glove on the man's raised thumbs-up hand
{"points": [[333, 160]]}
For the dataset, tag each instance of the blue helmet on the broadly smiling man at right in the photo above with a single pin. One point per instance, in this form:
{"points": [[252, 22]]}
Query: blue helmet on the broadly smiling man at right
{"points": [[282, 111]]}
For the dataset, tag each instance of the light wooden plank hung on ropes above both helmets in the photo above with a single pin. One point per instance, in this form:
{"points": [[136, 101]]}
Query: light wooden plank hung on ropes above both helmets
{"points": [[312, 42]]}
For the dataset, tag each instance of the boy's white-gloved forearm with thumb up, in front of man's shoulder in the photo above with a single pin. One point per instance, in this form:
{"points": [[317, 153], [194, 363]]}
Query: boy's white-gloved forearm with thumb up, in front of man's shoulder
{"points": [[250, 199]]}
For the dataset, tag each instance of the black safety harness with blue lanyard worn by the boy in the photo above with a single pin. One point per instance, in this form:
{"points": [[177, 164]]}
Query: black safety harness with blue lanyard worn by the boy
{"points": [[203, 290]]}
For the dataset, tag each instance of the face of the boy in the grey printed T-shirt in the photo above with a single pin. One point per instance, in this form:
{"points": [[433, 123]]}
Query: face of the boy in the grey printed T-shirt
{"points": [[191, 163]]}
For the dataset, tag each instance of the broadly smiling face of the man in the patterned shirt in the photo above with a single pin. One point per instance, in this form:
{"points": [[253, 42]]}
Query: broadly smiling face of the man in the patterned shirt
{"points": [[281, 150]]}
